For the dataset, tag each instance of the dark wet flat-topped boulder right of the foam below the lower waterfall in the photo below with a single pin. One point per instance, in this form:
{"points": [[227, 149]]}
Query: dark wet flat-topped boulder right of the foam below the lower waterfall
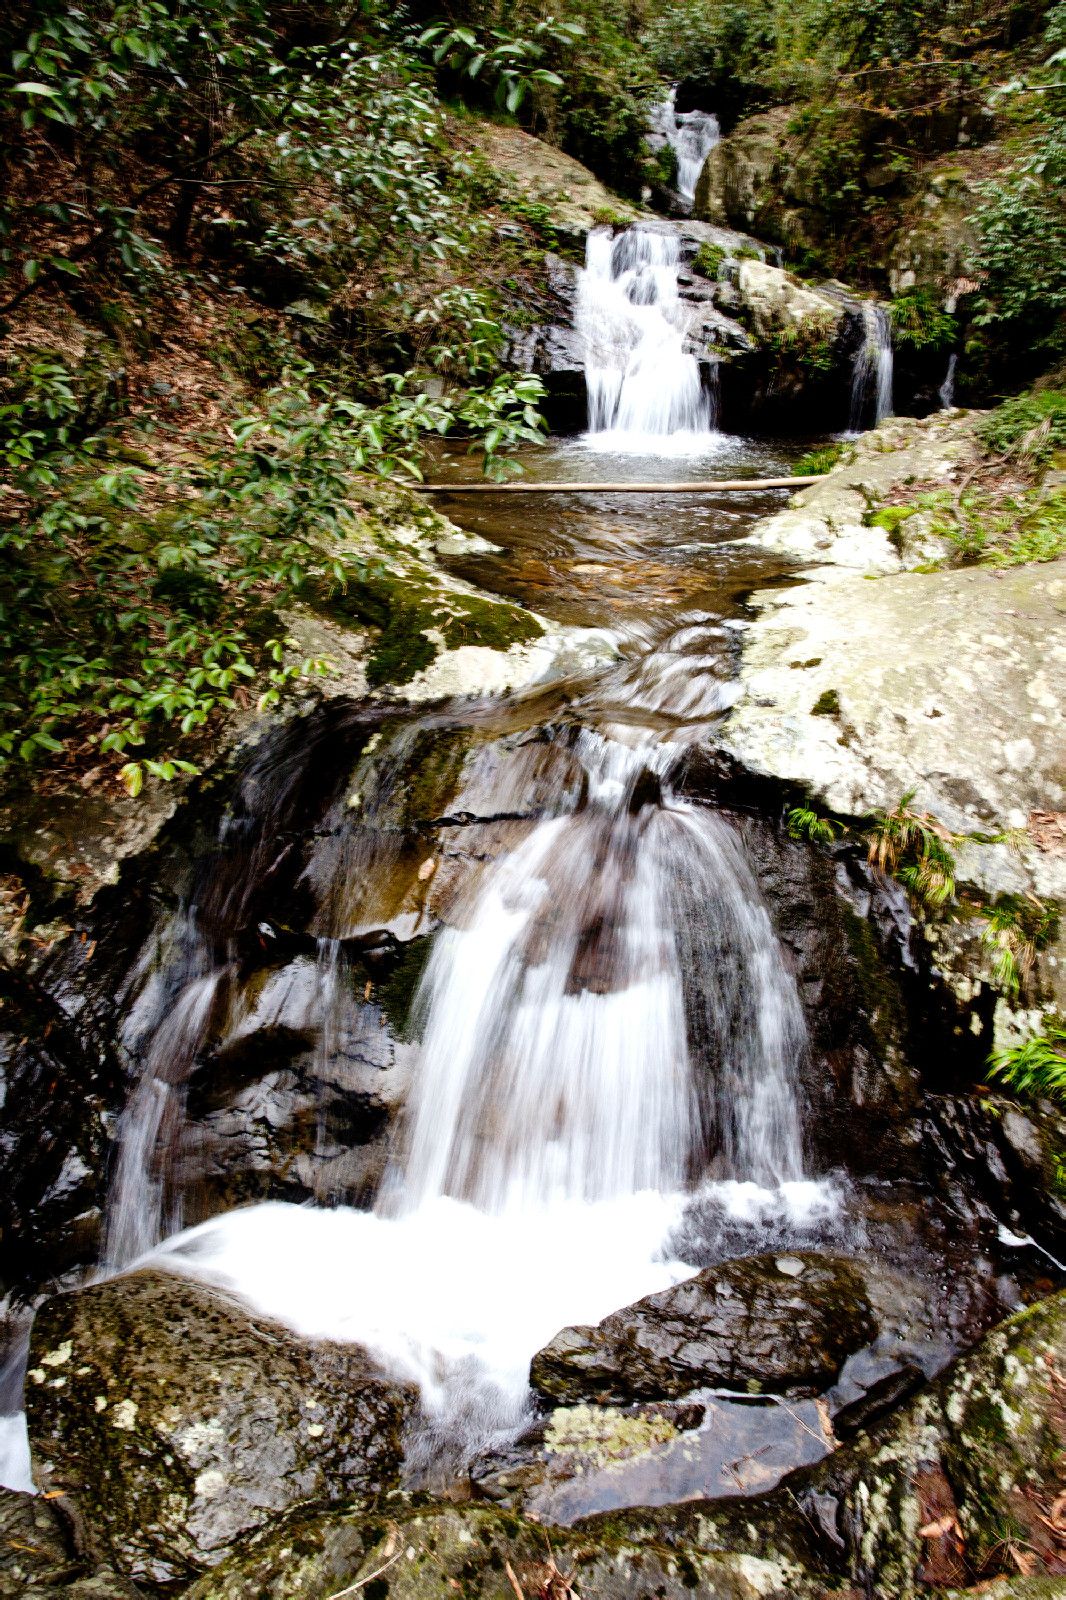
{"points": [[758, 1324]]}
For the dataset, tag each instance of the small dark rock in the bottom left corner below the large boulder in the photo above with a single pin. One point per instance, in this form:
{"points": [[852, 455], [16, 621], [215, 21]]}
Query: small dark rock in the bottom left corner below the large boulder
{"points": [[39, 1556]]}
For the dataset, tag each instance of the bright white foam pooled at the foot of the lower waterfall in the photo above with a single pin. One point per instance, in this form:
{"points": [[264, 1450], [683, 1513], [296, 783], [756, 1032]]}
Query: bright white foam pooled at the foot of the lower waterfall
{"points": [[443, 1289]]}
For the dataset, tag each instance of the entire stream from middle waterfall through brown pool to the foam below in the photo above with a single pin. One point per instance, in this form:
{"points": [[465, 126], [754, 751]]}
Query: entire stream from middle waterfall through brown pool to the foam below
{"points": [[606, 1079]]}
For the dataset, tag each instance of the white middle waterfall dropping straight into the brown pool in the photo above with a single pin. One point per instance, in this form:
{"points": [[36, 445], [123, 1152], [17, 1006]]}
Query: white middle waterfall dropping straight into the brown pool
{"points": [[641, 380]]}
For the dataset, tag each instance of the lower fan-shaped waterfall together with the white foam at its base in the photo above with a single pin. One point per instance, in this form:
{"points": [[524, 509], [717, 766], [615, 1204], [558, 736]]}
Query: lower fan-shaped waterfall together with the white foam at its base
{"points": [[607, 1022]]}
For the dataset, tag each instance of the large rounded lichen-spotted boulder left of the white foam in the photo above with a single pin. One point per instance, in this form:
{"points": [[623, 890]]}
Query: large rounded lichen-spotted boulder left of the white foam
{"points": [[178, 1422]]}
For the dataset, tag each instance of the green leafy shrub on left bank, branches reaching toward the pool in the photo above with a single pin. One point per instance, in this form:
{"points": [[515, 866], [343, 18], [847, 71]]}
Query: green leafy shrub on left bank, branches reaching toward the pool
{"points": [[137, 606]]}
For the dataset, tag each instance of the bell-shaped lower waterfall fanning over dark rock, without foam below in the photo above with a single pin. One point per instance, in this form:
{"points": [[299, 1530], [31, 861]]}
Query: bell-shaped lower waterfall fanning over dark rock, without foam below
{"points": [[558, 1015]]}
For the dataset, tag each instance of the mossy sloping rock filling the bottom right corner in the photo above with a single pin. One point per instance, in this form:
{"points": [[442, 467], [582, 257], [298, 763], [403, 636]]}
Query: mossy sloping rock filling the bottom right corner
{"points": [[944, 1494]]}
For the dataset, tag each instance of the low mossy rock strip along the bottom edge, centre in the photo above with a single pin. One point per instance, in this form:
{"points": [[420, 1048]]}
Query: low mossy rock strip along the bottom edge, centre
{"points": [[484, 1554]]}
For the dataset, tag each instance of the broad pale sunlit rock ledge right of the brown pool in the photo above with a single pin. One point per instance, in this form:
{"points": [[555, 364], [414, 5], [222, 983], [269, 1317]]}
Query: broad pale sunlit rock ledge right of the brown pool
{"points": [[891, 673]]}
